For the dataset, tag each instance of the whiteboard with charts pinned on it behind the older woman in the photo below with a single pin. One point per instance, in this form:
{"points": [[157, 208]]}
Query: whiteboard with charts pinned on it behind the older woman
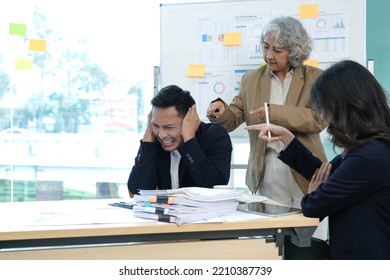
{"points": [[191, 35]]}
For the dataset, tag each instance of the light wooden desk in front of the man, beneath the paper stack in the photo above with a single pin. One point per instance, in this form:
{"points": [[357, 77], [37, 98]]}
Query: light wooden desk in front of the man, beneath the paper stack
{"points": [[80, 230]]}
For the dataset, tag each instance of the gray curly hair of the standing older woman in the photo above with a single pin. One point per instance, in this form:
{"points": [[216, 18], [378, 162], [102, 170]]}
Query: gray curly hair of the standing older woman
{"points": [[289, 33]]}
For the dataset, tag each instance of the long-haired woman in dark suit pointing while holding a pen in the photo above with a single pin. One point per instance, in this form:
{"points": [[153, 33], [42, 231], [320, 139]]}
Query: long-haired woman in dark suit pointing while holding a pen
{"points": [[354, 188]]}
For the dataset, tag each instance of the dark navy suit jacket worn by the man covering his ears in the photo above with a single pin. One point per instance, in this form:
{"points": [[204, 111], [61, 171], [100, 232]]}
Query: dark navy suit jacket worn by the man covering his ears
{"points": [[205, 162]]}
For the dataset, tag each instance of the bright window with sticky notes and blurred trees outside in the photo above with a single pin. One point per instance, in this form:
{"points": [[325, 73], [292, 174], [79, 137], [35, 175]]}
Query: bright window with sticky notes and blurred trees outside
{"points": [[76, 79]]}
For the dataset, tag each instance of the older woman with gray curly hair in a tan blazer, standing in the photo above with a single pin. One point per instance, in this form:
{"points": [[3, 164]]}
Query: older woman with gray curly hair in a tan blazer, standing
{"points": [[284, 84]]}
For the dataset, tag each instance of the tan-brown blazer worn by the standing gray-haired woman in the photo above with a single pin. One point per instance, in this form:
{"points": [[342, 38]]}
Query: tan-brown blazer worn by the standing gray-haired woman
{"points": [[295, 115]]}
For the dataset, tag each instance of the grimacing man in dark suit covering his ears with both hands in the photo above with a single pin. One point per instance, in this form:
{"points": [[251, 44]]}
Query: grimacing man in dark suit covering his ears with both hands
{"points": [[178, 149]]}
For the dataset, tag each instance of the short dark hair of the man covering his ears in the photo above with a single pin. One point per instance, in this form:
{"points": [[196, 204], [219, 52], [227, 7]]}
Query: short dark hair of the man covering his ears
{"points": [[174, 96]]}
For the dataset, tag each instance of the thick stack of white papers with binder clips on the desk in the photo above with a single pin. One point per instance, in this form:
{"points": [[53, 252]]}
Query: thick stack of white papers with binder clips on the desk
{"points": [[185, 205]]}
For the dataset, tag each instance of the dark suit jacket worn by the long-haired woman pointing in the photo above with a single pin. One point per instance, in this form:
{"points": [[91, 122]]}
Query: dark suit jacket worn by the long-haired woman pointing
{"points": [[356, 197]]}
